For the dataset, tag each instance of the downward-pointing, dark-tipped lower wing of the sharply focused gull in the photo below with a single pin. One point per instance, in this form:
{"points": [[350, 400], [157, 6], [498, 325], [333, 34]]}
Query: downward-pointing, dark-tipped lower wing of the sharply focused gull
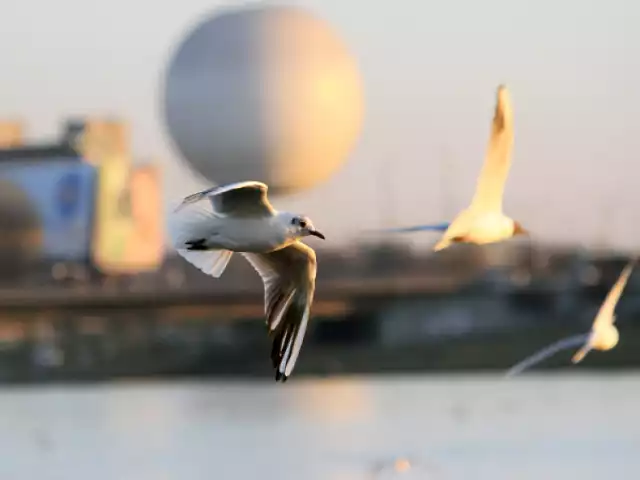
{"points": [[289, 285]]}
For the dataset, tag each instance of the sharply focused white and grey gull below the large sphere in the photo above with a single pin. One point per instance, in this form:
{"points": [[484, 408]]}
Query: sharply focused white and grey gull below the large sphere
{"points": [[242, 220]]}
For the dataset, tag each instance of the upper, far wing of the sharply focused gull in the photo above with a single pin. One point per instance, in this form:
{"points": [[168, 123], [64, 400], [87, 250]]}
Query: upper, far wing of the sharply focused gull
{"points": [[242, 199]]}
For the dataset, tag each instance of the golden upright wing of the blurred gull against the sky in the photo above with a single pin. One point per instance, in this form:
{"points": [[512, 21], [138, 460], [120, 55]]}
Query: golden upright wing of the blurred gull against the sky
{"points": [[493, 176]]}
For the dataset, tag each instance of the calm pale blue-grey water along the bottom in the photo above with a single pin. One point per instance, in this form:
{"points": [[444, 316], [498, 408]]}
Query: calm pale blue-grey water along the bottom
{"points": [[480, 427]]}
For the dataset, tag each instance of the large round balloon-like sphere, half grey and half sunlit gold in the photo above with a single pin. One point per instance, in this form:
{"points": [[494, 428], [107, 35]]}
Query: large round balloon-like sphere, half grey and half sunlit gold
{"points": [[266, 93]]}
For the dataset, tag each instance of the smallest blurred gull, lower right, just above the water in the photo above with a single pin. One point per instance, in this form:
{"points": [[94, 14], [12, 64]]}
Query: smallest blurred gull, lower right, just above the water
{"points": [[603, 335]]}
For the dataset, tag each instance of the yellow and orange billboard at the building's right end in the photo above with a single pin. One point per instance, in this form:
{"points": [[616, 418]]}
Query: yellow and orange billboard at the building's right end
{"points": [[128, 228]]}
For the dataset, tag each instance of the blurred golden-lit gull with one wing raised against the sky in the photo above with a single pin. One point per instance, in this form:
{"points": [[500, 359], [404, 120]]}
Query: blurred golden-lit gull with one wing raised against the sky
{"points": [[483, 221]]}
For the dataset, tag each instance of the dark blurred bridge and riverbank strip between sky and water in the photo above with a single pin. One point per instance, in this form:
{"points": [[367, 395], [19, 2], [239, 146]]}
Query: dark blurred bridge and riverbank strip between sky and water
{"points": [[398, 314]]}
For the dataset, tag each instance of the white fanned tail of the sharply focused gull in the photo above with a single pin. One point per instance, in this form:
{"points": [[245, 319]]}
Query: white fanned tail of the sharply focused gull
{"points": [[193, 222]]}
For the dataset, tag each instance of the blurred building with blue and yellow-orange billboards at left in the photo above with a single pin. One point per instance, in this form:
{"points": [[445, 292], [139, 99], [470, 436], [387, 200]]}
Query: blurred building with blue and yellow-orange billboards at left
{"points": [[77, 206]]}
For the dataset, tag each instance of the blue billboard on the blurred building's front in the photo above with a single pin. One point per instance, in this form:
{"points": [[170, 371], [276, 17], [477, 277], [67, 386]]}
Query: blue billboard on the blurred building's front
{"points": [[62, 195]]}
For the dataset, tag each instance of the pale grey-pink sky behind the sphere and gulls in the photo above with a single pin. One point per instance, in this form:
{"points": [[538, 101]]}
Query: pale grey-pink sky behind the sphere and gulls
{"points": [[430, 70]]}
